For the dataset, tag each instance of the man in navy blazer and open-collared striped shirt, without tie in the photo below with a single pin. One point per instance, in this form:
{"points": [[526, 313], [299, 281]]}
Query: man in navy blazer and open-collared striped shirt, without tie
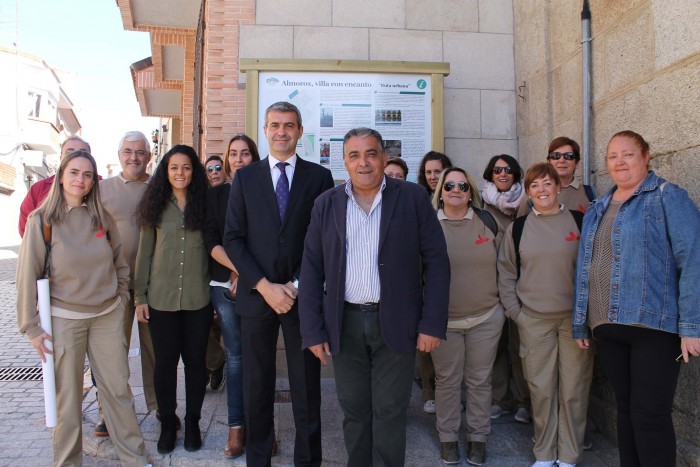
{"points": [[374, 286]]}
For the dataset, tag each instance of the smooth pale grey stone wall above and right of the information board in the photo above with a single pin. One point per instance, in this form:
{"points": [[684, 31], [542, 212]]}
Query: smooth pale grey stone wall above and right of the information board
{"points": [[474, 36]]}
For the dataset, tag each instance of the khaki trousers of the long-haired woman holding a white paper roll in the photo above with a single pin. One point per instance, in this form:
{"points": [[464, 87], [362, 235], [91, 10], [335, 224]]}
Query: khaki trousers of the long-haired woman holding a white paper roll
{"points": [[102, 339]]}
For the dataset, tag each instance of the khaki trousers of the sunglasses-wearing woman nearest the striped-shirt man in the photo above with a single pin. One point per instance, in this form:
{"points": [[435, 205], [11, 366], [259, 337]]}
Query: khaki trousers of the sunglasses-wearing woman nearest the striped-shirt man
{"points": [[467, 355]]}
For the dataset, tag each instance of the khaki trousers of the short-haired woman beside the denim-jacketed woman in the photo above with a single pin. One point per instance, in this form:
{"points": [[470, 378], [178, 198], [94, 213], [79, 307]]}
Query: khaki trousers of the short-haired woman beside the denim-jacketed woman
{"points": [[559, 375]]}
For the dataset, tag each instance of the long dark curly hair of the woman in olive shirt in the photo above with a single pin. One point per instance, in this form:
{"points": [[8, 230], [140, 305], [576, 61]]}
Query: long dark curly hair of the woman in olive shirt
{"points": [[157, 196]]}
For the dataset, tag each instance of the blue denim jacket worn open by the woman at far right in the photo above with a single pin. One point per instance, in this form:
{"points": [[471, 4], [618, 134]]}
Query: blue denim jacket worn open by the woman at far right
{"points": [[656, 260]]}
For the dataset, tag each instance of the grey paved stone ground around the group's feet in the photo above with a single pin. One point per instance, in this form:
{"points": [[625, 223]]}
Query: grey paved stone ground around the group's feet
{"points": [[24, 440]]}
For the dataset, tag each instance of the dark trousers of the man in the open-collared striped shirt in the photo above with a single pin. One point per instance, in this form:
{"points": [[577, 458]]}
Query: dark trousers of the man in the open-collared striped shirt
{"points": [[373, 383]]}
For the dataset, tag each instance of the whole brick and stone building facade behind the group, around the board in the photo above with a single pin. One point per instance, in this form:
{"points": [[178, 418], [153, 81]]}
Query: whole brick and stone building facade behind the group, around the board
{"points": [[515, 83]]}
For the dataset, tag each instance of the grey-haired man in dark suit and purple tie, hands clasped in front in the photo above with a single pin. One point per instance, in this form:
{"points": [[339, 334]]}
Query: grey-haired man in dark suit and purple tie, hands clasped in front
{"points": [[268, 213]]}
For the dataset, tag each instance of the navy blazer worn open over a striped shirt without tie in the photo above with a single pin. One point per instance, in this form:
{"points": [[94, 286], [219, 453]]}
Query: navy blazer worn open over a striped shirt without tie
{"points": [[414, 269]]}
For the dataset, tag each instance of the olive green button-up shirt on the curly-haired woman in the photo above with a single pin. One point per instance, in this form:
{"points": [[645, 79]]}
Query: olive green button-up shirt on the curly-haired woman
{"points": [[172, 265]]}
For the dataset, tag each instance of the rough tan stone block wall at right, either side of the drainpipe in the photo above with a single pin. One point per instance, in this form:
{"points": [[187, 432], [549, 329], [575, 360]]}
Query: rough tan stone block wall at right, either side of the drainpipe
{"points": [[646, 70]]}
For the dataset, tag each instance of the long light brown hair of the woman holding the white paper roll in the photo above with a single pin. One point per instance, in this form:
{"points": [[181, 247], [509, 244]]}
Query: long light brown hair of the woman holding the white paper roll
{"points": [[54, 209]]}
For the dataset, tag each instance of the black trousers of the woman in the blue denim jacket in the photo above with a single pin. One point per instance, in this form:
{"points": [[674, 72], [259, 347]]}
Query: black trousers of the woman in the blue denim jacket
{"points": [[642, 368]]}
